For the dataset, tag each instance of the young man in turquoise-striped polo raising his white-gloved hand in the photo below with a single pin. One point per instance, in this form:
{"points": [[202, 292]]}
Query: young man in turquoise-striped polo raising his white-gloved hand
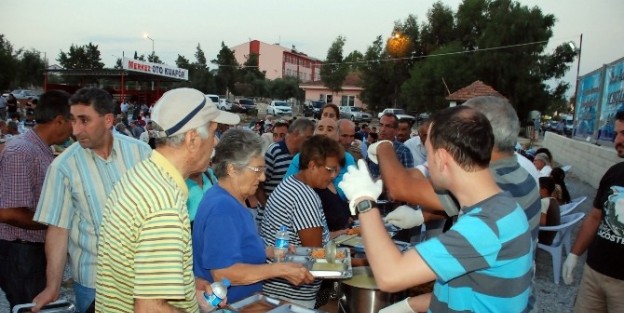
{"points": [[484, 262]]}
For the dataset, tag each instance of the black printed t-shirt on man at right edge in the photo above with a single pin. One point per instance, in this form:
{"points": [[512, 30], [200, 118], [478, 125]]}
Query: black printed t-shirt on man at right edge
{"points": [[607, 249]]}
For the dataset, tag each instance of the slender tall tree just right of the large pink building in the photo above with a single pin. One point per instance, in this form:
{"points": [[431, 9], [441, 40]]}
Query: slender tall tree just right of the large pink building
{"points": [[334, 71]]}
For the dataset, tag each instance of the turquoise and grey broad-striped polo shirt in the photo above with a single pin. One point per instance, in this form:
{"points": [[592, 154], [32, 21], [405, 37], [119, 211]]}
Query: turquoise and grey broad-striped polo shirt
{"points": [[484, 262]]}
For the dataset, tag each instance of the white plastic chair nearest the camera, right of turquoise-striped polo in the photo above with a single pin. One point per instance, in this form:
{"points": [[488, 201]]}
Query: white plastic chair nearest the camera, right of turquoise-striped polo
{"points": [[561, 242]]}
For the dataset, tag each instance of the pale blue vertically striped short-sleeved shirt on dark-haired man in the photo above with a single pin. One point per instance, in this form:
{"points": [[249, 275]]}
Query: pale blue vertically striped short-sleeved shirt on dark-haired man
{"points": [[74, 192]]}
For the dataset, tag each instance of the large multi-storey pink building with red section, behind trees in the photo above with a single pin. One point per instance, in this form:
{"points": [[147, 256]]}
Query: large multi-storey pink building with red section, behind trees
{"points": [[279, 62]]}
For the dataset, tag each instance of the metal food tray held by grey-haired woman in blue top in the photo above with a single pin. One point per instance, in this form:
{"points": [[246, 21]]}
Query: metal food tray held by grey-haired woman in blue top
{"points": [[320, 267]]}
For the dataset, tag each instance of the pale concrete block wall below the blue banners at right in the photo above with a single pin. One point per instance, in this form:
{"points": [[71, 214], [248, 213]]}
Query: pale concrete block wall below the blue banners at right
{"points": [[589, 162]]}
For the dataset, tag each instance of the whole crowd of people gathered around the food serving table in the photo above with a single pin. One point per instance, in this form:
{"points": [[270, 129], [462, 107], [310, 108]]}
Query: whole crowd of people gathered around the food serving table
{"points": [[152, 210]]}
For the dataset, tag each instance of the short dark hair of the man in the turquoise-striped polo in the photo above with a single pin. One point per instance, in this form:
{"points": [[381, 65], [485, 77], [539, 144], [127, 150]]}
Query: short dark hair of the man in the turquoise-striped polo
{"points": [[466, 134]]}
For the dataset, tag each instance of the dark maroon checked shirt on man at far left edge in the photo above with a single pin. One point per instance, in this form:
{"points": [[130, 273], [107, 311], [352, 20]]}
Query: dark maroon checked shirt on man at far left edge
{"points": [[23, 164]]}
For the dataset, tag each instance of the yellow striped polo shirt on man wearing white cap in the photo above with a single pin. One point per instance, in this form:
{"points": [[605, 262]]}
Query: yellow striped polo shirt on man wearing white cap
{"points": [[145, 248]]}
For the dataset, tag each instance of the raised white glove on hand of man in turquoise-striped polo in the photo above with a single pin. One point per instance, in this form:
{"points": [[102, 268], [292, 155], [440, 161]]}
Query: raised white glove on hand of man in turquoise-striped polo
{"points": [[357, 183]]}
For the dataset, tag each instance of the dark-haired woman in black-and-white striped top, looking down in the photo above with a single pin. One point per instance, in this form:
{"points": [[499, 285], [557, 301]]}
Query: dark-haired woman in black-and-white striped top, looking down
{"points": [[295, 204]]}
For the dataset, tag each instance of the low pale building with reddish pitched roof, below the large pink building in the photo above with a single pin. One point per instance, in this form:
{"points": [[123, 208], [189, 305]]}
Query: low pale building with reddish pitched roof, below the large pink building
{"points": [[349, 95]]}
